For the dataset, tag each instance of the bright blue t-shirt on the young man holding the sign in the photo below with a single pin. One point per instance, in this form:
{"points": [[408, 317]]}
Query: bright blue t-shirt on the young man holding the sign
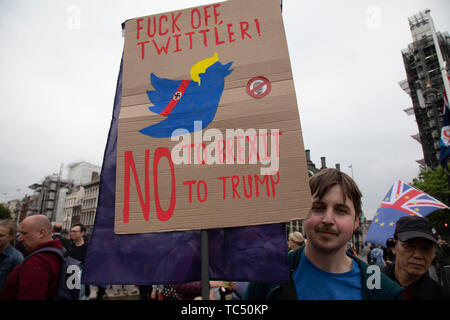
{"points": [[312, 283]]}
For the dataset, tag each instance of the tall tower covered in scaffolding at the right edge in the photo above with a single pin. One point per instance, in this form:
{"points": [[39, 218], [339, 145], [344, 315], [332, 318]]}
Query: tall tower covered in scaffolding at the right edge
{"points": [[425, 84]]}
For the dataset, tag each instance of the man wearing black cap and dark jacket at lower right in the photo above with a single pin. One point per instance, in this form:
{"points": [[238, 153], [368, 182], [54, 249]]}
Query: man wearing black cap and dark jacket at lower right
{"points": [[414, 251]]}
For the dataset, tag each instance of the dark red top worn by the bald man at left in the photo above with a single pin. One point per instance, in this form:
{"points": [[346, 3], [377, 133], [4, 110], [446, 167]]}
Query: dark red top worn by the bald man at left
{"points": [[38, 277]]}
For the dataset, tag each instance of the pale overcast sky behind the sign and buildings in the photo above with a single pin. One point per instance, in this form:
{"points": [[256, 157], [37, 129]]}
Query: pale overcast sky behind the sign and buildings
{"points": [[59, 62]]}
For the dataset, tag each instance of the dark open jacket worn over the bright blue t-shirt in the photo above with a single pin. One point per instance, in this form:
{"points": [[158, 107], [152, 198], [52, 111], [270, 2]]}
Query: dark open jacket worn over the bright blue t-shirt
{"points": [[389, 290]]}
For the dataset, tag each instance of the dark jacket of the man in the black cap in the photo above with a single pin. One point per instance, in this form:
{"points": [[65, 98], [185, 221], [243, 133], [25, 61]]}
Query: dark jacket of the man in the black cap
{"points": [[425, 288]]}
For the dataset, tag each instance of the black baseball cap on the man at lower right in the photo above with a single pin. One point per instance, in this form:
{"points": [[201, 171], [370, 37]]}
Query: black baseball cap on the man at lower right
{"points": [[414, 227]]}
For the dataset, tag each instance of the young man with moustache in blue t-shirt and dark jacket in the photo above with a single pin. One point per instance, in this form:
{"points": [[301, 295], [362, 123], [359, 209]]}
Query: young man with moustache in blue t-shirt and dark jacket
{"points": [[322, 270]]}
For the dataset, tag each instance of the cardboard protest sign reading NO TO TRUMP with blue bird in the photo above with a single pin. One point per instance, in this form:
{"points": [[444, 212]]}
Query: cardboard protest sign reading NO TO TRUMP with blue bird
{"points": [[155, 190]]}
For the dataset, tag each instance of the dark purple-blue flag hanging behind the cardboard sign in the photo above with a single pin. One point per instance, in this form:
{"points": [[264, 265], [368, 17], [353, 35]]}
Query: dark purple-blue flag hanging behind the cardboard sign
{"points": [[256, 253]]}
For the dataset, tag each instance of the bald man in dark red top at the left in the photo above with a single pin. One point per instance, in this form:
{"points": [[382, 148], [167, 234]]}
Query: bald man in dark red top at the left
{"points": [[39, 274]]}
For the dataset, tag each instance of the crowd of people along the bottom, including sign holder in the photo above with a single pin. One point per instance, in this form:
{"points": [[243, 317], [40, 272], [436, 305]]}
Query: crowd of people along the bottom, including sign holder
{"points": [[322, 263]]}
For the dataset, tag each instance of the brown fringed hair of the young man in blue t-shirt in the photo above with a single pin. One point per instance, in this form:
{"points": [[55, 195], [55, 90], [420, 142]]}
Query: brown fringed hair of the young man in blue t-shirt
{"points": [[323, 181]]}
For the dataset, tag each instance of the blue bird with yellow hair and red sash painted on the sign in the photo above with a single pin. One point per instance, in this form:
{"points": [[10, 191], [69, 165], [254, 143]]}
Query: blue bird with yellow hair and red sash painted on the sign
{"points": [[183, 102]]}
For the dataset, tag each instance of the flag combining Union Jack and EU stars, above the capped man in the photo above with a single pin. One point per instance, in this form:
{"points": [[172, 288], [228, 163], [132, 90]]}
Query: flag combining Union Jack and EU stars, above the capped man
{"points": [[401, 200]]}
